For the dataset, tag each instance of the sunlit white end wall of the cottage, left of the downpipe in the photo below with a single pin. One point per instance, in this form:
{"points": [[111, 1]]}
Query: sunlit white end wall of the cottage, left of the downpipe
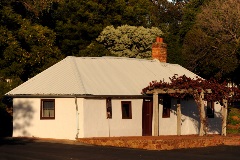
{"points": [[27, 123]]}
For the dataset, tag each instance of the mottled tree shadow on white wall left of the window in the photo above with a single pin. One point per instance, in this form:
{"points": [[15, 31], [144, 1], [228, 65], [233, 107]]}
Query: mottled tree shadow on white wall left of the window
{"points": [[22, 118]]}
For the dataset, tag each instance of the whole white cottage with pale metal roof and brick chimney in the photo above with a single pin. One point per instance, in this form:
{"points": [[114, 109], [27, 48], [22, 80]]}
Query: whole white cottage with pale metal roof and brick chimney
{"points": [[101, 97]]}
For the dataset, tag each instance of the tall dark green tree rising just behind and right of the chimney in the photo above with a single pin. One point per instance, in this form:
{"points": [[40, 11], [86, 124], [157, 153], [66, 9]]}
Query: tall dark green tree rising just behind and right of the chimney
{"points": [[168, 16]]}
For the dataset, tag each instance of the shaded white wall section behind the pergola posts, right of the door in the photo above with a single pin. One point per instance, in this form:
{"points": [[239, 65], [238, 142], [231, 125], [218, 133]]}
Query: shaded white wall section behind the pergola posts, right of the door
{"points": [[189, 118]]}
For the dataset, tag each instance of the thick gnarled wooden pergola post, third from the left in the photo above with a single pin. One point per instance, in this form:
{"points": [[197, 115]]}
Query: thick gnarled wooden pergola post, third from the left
{"points": [[202, 115]]}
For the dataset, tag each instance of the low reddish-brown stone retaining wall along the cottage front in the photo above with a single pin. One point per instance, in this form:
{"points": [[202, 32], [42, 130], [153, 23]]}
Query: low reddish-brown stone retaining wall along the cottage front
{"points": [[164, 142]]}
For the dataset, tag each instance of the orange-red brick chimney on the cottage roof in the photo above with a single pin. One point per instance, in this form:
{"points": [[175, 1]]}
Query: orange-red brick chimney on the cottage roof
{"points": [[159, 50]]}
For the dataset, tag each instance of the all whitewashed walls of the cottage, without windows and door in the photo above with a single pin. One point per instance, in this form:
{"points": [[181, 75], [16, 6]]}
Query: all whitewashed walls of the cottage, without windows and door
{"points": [[92, 119]]}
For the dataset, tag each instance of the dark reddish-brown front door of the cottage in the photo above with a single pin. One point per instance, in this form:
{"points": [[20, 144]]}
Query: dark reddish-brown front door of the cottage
{"points": [[147, 112]]}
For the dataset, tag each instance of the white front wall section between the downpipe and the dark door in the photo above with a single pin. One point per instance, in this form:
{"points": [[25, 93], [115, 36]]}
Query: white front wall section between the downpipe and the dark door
{"points": [[97, 125]]}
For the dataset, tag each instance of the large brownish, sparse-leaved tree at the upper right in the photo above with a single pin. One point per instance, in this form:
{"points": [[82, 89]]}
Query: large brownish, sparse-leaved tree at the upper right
{"points": [[212, 45]]}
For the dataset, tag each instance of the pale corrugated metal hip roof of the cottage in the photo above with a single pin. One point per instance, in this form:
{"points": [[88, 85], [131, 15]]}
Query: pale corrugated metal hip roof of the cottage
{"points": [[99, 76]]}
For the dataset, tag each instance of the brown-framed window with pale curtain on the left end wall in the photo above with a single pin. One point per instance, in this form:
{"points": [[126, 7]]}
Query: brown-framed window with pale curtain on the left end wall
{"points": [[47, 109]]}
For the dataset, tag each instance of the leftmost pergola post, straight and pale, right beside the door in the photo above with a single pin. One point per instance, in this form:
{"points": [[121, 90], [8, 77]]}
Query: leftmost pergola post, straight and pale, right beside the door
{"points": [[155, 114]]}
